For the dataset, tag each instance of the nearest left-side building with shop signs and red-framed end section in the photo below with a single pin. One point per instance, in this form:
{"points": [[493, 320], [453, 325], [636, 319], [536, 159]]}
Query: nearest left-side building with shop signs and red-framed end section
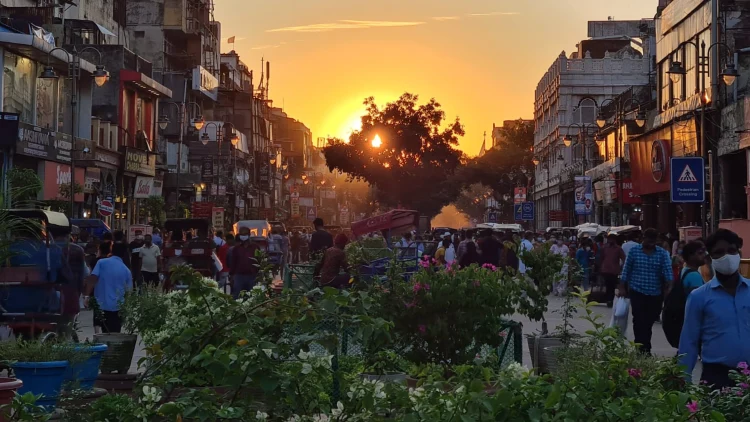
{"points": [[59, 122]]}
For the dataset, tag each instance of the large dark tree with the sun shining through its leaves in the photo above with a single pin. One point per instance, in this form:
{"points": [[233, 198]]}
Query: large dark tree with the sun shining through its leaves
{"points": [[413, 165]]}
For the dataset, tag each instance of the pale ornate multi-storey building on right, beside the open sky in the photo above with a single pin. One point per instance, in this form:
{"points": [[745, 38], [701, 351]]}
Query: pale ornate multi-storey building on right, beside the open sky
{"points": [[567, 100]]}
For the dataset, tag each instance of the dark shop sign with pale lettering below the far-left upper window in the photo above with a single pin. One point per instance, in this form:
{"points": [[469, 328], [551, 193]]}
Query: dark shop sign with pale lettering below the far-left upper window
{"points": [[41, 143]]}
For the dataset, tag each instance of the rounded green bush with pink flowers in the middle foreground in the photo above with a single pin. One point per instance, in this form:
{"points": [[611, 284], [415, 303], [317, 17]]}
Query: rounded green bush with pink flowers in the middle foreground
{"points": [[448, 317]]}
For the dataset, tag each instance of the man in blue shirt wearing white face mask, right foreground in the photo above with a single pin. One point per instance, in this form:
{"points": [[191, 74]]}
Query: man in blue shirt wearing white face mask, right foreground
{"points": [[717, 315]]}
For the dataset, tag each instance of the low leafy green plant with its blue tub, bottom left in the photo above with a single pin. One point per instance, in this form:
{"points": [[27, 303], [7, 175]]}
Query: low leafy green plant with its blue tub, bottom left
{"points": [[41, 366]]}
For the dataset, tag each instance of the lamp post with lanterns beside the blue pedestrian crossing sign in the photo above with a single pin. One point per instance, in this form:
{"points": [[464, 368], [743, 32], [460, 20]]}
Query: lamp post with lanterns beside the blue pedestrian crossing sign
{"points": [[728, 75]]}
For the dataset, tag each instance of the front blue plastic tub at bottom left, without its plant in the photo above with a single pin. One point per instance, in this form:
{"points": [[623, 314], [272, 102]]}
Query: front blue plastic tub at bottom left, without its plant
{"points": [[41, 378]]}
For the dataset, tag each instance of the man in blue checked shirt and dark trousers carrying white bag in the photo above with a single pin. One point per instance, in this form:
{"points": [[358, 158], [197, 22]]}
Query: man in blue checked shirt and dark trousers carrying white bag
{"points": [[647, 273]]}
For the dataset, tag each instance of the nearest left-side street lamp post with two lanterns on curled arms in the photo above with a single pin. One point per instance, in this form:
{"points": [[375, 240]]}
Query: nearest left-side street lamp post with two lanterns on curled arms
{"points": [[101, 76]]}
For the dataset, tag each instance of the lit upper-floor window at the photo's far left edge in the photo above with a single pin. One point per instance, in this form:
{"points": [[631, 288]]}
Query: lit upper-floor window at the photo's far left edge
{"points": [[19, 86]]}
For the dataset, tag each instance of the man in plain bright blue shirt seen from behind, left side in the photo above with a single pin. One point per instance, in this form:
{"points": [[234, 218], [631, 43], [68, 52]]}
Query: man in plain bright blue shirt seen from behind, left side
{"points": [[109, 281]]}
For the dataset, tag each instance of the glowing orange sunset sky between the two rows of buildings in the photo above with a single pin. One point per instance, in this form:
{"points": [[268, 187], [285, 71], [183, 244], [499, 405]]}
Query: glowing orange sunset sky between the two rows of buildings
{"points": [[481, 59]]}
